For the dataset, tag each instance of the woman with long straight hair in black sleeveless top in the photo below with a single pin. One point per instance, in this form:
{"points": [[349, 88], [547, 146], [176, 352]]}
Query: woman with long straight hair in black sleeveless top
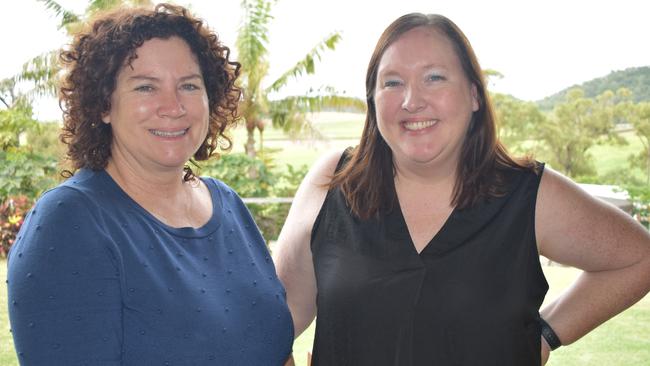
{"points": [[421, 245]]}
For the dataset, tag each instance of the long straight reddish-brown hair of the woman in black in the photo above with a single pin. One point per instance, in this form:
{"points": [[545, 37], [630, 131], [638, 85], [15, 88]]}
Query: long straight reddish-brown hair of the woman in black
{"points": [[367, 180]]}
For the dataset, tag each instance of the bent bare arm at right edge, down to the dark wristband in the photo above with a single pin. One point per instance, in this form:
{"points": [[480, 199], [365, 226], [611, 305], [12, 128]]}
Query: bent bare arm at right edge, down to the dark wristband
{"points": [[611, 248]]}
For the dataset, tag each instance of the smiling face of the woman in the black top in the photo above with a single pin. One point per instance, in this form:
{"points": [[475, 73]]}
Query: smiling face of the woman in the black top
{"points": [[423, 99]]}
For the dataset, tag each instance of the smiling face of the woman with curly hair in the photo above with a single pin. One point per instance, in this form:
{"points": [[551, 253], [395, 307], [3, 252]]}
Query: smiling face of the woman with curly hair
{"points": [[159, 110]]}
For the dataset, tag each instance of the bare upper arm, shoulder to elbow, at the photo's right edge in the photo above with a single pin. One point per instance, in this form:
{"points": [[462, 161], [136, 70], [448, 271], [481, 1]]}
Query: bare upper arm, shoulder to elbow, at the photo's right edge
{"points": [[575, 228]]}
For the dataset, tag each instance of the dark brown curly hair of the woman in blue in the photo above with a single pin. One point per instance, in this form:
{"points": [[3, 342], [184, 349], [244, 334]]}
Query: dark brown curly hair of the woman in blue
{"points": [[95, 57]]}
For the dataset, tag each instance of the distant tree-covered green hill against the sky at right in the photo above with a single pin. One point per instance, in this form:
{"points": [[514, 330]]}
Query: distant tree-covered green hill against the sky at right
{"points": [[637, 79]]}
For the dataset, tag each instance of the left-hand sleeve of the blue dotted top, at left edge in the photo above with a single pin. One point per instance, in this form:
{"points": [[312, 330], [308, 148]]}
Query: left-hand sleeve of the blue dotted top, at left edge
{"points": [[64, 288]]}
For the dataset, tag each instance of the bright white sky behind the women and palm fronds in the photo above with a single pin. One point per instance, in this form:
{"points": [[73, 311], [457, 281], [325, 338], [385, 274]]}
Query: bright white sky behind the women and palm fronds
{"points": [[541, 47]]}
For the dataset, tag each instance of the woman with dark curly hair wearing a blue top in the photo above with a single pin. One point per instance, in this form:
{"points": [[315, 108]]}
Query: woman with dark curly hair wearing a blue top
{"points": [[134, 260]]}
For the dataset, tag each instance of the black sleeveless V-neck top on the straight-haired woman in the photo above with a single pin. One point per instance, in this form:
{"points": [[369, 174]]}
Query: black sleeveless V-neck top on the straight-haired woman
{"points": [[471, 297]]}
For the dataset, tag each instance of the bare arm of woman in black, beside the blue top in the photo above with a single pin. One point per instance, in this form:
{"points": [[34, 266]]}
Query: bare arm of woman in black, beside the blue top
{"points": [[292, 257]]}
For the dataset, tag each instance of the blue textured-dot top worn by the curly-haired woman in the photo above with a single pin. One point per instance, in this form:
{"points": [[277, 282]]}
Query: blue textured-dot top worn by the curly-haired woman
{"points": [[95, 279]]}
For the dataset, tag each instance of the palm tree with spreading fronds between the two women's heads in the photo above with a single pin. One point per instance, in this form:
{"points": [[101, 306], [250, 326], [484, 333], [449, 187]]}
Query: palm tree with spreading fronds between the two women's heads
{"points": [[289, 113]]}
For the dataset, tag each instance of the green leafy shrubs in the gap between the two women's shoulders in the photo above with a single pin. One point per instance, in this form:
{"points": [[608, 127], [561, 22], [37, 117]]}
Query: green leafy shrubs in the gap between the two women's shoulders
{"points": [[233, 170]]}
